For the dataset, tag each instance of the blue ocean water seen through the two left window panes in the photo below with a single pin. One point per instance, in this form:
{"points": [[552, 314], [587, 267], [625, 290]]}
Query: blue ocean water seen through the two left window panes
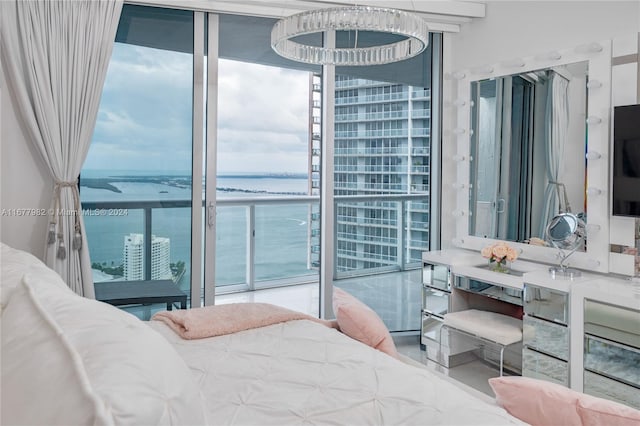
{"points": [[282, 231]]}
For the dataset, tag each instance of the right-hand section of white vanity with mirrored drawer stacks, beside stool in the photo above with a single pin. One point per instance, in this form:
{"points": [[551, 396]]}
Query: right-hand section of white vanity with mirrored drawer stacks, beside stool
{"points": [[584, 333]]}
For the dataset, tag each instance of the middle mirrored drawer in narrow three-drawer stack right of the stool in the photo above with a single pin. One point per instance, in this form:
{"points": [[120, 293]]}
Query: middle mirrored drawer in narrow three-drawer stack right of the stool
{"points": [[547, 337]]}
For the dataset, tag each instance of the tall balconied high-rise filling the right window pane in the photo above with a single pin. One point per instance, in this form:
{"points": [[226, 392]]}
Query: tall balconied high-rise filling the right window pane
{"points": [[381, 148]]}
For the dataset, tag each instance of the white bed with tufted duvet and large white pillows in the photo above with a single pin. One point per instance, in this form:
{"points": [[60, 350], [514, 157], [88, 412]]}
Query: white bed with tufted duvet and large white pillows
{"points": [[71, 360]]}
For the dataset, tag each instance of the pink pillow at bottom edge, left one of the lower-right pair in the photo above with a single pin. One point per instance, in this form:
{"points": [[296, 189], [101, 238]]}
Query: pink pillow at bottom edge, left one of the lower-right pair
{"points": [[537, 402]]}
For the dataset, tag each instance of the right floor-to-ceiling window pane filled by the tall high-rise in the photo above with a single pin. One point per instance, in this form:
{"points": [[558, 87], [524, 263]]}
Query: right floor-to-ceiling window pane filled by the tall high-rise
{"points": [[382, 167]]}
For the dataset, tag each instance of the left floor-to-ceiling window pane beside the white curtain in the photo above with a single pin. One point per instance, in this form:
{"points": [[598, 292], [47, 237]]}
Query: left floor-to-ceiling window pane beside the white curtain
{"points": [[136, 180]]}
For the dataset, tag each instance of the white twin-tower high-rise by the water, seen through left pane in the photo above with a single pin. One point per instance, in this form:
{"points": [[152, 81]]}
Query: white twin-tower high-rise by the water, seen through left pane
{"points": [[133, 255]]}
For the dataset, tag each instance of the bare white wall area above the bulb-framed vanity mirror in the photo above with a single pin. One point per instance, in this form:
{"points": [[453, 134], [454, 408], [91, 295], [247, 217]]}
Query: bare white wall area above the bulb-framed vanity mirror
{"points": [[521, 28]]}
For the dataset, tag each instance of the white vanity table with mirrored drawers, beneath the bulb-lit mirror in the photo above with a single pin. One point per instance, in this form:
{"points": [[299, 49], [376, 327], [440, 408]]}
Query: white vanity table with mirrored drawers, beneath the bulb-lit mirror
{"points": [[583, 333]]}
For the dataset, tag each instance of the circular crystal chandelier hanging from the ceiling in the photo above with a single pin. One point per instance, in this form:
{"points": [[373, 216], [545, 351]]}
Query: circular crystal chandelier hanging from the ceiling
{"points": [[350, 18]]}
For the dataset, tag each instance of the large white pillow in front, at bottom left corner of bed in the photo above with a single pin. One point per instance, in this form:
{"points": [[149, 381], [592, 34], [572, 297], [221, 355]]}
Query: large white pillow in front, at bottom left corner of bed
{"points": [[70, 360]]}
